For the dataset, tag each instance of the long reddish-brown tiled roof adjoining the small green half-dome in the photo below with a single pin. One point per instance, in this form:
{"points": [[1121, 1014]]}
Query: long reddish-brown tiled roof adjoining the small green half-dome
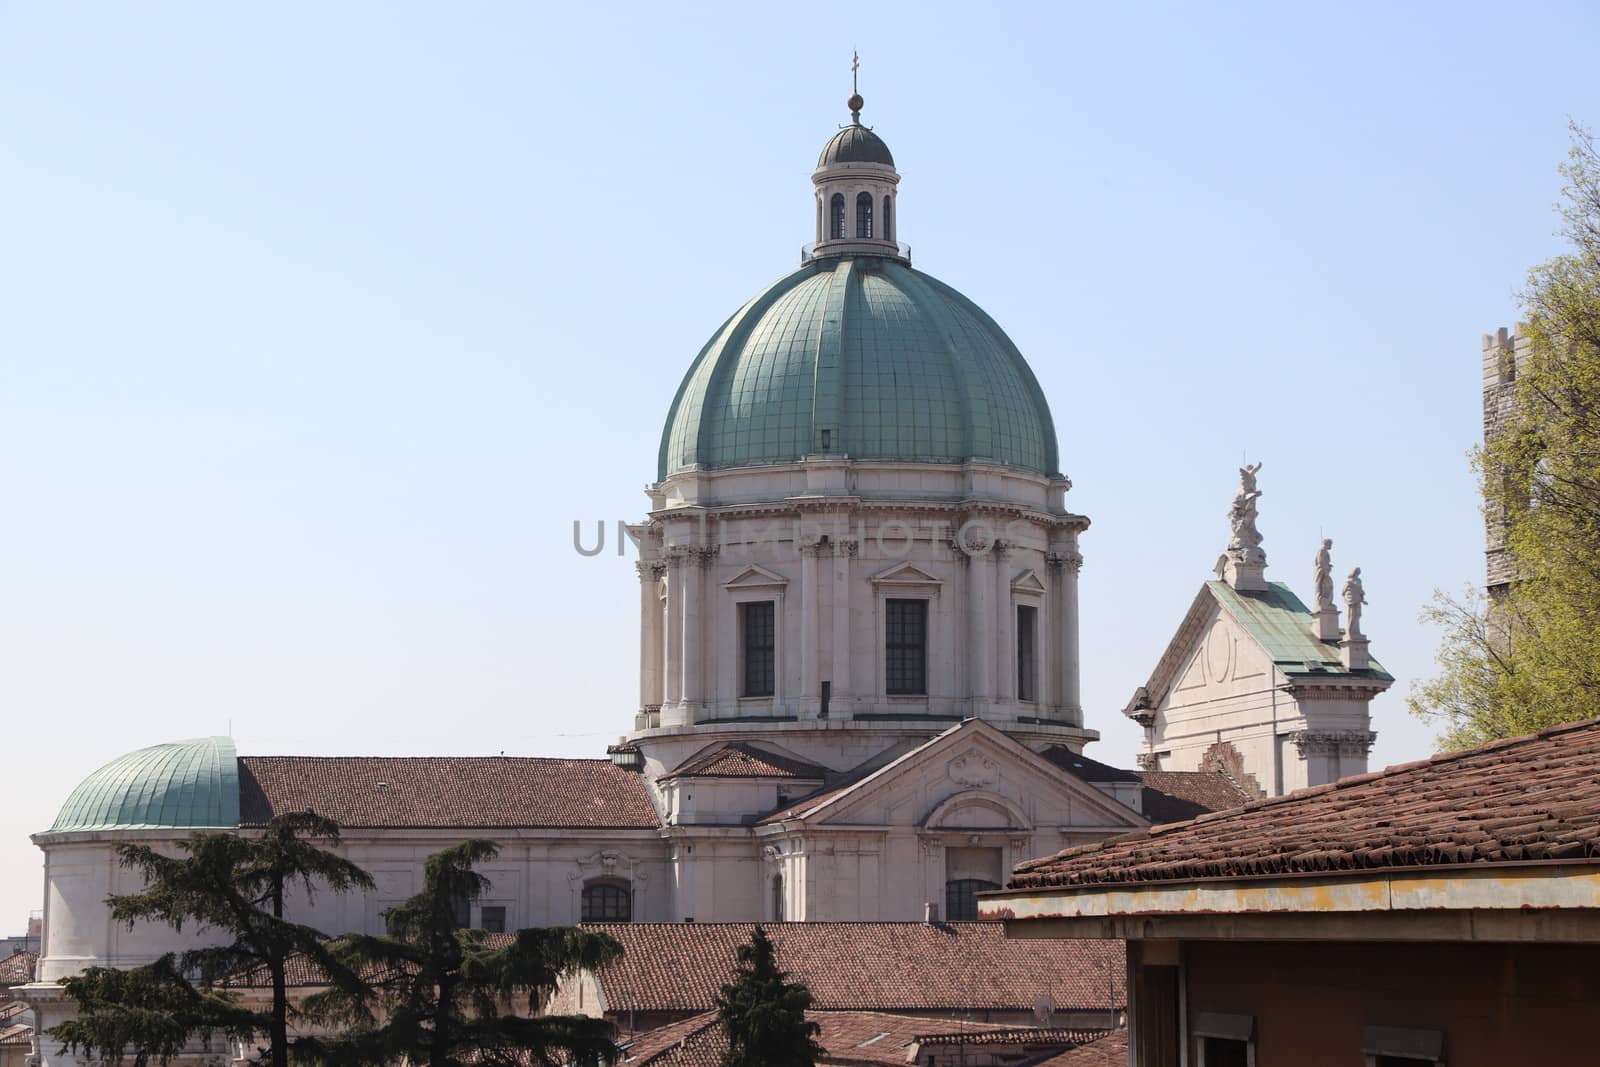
{"points": [[470, 793]]}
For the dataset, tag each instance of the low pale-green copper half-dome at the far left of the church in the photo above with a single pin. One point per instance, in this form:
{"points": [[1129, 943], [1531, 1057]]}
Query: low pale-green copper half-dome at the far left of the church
{"points": [[186, 785]]}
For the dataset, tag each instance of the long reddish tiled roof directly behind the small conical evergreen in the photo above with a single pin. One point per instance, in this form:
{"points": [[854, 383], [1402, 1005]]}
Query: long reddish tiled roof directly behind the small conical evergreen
{"points": [[868, 967]]}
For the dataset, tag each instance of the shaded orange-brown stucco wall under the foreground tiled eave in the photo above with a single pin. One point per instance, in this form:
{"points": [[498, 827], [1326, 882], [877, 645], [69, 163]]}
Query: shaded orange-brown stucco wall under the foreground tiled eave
{"points": [[1497, 1004]]}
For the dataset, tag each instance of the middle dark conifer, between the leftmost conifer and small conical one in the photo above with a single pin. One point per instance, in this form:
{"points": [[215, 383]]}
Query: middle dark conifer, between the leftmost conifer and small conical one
{"points": [[442, 993]]}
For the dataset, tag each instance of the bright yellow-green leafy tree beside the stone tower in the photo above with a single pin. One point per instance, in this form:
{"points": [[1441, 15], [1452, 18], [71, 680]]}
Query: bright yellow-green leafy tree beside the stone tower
{"points": [[1532, 657]]}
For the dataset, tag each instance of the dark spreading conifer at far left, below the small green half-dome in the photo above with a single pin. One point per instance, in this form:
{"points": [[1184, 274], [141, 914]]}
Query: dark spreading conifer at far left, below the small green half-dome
{"points": [[225, 882]]}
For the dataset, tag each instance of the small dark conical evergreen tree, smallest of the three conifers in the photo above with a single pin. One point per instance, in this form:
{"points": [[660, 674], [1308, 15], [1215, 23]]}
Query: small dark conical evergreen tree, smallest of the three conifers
{"points": [[764, 1013]]}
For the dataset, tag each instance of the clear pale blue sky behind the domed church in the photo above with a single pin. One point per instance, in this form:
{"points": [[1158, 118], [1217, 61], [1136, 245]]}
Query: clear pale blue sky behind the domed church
{"points": [[321, 324]]}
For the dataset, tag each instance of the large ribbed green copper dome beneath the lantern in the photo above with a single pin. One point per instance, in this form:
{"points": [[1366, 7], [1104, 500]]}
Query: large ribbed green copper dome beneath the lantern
{"points": [[863, 358]]}
